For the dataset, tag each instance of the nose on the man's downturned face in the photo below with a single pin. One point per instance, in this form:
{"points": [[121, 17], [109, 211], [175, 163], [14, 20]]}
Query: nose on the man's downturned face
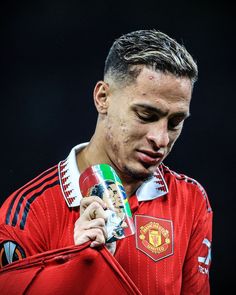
{"points": [[158, 135]]}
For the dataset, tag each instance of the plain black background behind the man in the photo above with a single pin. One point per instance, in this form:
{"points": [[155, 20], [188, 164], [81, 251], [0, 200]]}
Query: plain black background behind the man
{"points": [[52, 53]]}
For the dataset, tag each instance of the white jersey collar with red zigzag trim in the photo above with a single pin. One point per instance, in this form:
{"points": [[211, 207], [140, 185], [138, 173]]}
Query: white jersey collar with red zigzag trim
{"points": [[69, 180]]}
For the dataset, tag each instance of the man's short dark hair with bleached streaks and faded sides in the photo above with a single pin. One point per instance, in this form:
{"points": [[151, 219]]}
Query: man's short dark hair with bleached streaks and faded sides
{"points": [[150, 48]]}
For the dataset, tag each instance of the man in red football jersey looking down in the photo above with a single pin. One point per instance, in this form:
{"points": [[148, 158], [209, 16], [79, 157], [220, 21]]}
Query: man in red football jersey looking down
{"points": [[142, 104]]}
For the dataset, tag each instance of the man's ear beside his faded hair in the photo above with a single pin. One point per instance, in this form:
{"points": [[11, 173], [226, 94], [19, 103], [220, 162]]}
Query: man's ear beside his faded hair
{"points": [[100, 95]]}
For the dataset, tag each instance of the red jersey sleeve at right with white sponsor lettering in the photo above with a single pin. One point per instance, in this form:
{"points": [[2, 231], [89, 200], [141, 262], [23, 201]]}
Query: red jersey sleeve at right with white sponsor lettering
{"points": [[198, 257]]}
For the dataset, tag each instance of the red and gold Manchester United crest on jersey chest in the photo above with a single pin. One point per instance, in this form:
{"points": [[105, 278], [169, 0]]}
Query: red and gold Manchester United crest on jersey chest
{"points": [[154, 236]]}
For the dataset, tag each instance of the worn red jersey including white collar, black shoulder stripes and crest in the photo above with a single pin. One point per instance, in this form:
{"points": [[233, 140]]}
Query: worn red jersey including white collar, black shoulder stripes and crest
{"points": [[170, 252]]}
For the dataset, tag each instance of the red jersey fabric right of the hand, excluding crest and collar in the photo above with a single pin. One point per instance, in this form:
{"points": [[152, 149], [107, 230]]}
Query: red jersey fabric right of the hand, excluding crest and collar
{"points": [[187, 206]]}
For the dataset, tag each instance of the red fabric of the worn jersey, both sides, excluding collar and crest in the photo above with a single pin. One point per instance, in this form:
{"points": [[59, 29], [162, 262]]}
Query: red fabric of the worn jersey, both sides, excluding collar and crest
{"points": [[49, 225]]}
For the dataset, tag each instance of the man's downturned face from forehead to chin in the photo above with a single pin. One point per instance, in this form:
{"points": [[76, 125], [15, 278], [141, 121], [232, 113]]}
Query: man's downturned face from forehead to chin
{"points": [[143, 121]]}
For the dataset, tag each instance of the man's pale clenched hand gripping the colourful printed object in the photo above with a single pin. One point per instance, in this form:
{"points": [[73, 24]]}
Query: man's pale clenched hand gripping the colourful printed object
{"points": [[90, 226]]}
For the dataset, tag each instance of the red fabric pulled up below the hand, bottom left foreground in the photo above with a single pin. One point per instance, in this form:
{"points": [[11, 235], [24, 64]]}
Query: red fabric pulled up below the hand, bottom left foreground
{"points": [[73, 270]]}
